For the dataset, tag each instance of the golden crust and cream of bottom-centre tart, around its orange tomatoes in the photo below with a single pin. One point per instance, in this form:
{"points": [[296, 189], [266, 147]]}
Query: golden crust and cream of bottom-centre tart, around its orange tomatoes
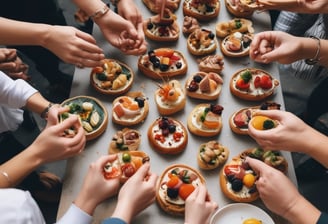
{"points": [[176, 206]]}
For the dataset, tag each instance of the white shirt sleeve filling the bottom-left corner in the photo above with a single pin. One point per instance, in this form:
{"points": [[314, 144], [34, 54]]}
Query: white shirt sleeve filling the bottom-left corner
{"points": [[18, 206]]}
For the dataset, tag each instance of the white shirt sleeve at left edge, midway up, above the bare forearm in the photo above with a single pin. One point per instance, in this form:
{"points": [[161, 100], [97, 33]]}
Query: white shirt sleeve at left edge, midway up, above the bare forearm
{"points": [[14, 93]]}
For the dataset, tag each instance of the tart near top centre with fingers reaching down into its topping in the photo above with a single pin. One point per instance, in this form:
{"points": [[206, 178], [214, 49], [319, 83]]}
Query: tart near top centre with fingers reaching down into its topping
{"points": [[158, 29]]}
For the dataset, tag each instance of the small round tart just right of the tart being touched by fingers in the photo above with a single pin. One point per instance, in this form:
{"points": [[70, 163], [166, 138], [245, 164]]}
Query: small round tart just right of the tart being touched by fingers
{"points": [[201, 42]]}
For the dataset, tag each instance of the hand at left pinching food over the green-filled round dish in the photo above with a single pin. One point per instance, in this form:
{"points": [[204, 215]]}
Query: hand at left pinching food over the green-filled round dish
{"points": [[52, 144]]}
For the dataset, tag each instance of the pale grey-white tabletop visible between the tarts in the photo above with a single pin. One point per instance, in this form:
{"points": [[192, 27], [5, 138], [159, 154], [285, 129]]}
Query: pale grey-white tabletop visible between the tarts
{"points": [[78, 166]]}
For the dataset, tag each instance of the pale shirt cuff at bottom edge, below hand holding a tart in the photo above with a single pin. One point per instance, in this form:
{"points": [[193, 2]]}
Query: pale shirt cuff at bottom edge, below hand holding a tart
{"points": [[75, 215]]}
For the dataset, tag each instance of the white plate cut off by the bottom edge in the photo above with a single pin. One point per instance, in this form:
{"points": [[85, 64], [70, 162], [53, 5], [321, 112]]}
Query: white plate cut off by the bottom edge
{"points": [[238, 212]]}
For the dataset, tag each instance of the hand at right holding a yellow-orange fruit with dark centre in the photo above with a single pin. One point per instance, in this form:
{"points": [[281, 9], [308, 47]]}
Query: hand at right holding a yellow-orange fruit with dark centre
{"points": [[290, 133]]}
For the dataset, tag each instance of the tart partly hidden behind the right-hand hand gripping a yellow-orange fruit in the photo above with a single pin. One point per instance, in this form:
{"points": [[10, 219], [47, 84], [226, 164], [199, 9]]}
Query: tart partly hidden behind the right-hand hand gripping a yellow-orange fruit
{"points": [[239, 120]]}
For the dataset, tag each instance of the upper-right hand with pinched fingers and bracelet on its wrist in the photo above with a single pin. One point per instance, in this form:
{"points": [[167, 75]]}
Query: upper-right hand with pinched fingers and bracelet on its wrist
{"points": [[277, 46]]}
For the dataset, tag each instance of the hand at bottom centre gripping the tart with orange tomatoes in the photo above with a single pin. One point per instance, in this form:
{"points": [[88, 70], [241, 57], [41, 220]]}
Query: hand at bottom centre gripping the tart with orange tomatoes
{"points": [[199, 206]]}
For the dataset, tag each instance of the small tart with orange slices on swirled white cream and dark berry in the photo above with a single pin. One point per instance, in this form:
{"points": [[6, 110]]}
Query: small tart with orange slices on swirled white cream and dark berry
{"points": [[130, 109]]}
